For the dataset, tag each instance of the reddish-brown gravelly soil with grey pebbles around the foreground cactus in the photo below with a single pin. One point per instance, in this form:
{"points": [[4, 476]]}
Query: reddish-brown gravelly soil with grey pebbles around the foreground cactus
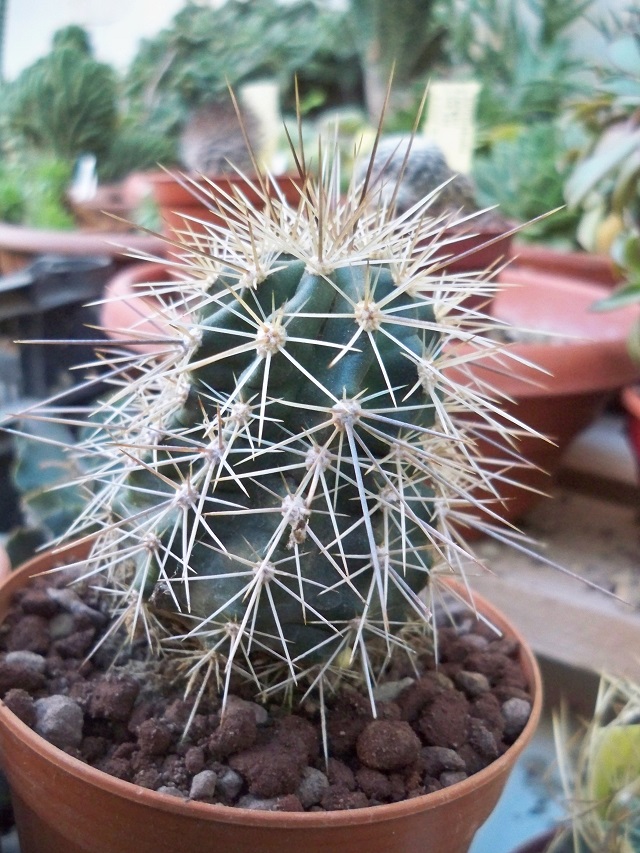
{"points": [[128, 720]]}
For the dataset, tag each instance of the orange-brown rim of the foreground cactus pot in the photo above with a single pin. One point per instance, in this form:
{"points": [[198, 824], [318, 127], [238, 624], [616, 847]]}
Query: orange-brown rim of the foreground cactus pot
{"points": [[255, 818]]}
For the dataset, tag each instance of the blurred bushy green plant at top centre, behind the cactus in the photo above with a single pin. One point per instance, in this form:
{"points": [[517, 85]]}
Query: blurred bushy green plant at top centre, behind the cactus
{"points": [[203, 51]]}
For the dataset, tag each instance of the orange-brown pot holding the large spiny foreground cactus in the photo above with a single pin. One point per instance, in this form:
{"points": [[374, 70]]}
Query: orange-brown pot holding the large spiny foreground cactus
{"points": [[62, 804]]}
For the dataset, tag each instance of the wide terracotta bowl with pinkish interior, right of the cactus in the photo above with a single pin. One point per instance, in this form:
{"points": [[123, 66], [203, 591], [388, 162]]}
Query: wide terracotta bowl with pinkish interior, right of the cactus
{"points": [[581, 373]]}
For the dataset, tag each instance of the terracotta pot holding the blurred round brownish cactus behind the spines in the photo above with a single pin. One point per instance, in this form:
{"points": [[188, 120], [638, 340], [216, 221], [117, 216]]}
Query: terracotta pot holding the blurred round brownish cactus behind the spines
{"points": [[184, 201]]}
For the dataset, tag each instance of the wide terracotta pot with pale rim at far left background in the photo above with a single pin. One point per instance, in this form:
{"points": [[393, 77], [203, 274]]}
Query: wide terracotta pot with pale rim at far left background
{"points": [[19, 245]]}
